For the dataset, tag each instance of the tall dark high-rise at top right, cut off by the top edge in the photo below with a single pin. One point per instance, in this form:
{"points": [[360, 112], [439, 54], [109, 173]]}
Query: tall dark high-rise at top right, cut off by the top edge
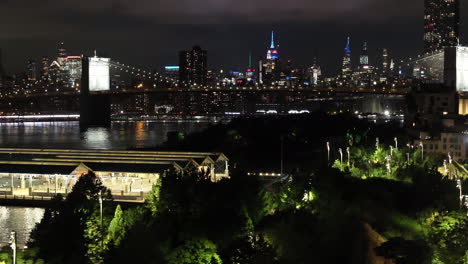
{"points": [[441, 24]]}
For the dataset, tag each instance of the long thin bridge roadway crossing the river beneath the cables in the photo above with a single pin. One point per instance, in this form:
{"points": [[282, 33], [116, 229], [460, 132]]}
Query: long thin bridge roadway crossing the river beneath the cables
{"points": [[316, 91]]}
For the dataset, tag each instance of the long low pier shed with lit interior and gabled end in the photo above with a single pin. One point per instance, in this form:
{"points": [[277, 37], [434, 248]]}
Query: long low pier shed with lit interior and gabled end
{"points": [[49, 171]]}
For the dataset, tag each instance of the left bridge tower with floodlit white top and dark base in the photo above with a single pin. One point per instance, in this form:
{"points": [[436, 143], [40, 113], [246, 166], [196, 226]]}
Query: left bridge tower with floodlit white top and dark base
{"points": [[95, 100]]}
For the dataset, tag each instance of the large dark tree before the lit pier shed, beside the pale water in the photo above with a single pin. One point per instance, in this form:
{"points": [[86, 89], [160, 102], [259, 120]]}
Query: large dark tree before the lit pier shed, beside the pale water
{"points": [[60, 236]]}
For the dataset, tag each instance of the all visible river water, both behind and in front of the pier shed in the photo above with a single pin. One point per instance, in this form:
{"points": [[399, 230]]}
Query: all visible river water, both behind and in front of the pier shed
{"points": [[121, 135]]}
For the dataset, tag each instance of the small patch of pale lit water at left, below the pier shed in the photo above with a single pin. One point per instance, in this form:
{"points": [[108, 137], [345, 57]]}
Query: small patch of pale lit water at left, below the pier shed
{"points": [[19, 219]]}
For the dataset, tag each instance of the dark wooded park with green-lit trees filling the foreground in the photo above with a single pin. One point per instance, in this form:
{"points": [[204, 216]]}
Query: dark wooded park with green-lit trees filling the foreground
{"points": [[308, 189]]}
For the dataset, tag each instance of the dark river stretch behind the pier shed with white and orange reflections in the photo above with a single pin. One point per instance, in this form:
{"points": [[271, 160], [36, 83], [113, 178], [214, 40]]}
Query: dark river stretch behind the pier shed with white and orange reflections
{"points": [[121, 135]]}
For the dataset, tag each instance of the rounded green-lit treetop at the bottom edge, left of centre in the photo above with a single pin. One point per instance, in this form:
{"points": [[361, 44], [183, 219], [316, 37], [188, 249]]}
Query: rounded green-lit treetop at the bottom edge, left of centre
{"points": [[195, 251]]}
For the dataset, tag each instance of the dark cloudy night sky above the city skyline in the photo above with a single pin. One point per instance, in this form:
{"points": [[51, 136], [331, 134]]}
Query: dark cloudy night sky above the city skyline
{"points": [[149, 33]]}
